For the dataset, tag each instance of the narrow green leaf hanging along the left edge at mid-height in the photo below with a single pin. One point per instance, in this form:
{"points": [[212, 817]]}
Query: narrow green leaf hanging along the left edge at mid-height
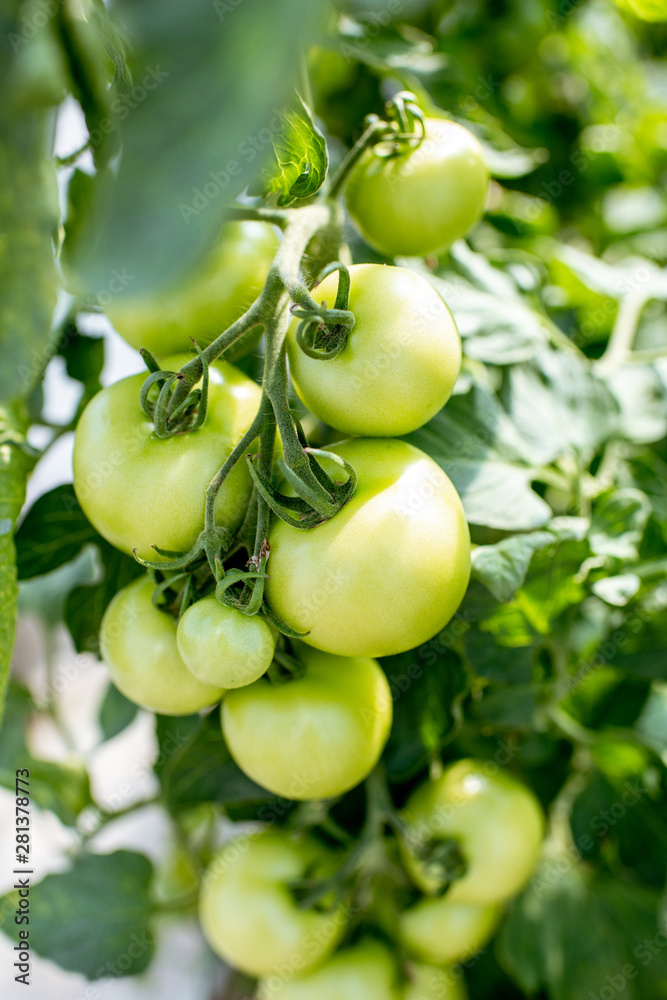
{"points": [[15, 463]]}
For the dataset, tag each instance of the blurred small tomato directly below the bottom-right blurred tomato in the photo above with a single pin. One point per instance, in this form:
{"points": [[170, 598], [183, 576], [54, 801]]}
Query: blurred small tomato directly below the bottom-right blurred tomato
{"points": [[439, 931]]}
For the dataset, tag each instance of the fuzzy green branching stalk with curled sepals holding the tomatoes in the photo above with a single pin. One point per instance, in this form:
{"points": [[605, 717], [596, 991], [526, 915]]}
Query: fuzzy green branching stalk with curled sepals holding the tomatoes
{"points": [[180, 404]]}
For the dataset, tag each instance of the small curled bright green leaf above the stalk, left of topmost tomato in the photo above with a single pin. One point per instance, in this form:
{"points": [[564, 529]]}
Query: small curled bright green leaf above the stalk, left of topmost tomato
{"points": [[300, 158]]}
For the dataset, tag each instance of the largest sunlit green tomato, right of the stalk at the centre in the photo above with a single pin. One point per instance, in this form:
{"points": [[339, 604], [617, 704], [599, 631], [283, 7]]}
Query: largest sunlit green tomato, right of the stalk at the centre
{"points": [[385, 573]]}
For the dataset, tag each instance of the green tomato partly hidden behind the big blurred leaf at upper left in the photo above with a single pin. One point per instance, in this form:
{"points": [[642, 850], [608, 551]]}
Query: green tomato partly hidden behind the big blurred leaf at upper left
{"points": [[207, 301]]}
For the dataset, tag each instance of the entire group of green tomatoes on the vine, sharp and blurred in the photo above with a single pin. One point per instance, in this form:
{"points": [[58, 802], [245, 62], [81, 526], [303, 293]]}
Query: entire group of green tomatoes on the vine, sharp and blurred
{"points": [[306, 708]]}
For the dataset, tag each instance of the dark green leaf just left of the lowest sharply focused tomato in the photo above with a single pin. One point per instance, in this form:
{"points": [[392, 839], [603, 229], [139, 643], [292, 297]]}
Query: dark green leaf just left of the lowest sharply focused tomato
{"points": [[194, 765]]}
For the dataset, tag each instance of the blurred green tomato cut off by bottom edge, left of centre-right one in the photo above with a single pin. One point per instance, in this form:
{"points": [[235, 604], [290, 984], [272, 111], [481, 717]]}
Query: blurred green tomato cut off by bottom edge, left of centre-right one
{"points": [[366, 971]]}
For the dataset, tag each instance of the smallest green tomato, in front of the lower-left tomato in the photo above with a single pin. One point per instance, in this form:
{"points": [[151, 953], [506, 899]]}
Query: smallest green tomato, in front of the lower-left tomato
{"points": [[223, 647]]}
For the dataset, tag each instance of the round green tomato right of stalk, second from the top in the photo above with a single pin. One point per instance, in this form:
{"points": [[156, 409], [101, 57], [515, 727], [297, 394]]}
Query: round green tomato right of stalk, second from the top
{"points": [[400, 362]]}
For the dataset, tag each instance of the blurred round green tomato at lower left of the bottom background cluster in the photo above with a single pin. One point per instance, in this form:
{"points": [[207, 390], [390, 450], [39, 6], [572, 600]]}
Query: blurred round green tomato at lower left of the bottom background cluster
{"points": [[250, 917]]}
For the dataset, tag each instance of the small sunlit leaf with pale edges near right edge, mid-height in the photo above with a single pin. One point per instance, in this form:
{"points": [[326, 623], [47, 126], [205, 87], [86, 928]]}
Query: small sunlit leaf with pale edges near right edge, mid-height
{"points": [[618, 524]]}
